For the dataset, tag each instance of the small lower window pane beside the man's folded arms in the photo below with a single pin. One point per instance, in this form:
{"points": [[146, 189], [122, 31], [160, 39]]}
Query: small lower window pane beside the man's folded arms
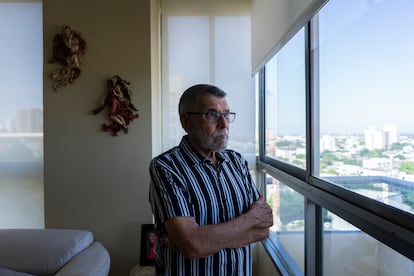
{"points": [[289, 220]]}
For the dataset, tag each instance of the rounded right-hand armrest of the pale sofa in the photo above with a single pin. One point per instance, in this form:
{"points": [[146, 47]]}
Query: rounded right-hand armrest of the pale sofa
{"points": [[93, 261]]}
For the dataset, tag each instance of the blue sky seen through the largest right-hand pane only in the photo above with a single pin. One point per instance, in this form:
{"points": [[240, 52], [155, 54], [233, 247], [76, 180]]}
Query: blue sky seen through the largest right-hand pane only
{"points": [[367, 63]]}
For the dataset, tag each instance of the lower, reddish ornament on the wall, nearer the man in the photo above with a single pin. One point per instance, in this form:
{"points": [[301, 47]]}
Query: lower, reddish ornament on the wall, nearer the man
{"points": [[118, 100]]}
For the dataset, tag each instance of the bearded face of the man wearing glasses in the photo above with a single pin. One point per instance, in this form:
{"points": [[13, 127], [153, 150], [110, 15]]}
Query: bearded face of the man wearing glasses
{"points": [[207, 136]]}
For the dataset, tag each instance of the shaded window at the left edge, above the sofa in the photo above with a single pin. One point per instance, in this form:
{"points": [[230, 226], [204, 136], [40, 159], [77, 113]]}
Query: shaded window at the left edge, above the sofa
{"points": [[21, 115]]}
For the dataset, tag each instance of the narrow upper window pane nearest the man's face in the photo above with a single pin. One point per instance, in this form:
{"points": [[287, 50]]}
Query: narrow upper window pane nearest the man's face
{"points": [[285, 104]]}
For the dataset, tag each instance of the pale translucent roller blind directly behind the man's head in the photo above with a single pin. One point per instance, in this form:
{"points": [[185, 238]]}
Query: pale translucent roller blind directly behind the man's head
{"points": [[208, 41]]}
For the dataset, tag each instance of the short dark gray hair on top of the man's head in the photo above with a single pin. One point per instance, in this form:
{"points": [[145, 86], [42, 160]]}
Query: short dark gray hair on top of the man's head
{"points": [[189, 96]]}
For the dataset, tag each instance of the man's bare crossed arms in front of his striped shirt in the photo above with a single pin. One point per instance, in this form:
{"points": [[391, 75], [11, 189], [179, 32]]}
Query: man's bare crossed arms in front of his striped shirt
{"points": [[194, 241]]}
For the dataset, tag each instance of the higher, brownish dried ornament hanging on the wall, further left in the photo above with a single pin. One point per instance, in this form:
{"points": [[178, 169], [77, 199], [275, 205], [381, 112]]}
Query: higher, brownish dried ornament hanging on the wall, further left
{"points": [[68, 50]]}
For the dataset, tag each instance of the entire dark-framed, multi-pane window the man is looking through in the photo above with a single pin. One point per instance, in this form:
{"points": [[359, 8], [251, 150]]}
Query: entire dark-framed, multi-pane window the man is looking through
{"points": [[335, 128]]}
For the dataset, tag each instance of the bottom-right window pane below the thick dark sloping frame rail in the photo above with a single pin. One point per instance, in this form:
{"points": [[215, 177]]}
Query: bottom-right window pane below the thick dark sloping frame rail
{"points": [[349, 251]]}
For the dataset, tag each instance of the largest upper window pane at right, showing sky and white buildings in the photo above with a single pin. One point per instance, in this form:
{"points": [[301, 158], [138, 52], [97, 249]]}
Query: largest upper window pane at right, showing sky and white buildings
{"points": [[366, 93]]}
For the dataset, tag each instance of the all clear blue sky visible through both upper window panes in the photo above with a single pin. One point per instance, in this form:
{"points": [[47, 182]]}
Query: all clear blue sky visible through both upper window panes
{"points": [[366, 69]]}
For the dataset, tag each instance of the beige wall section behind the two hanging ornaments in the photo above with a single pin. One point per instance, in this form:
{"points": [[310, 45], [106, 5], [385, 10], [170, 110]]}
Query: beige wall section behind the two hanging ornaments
{"points": [[93, 180]]}
